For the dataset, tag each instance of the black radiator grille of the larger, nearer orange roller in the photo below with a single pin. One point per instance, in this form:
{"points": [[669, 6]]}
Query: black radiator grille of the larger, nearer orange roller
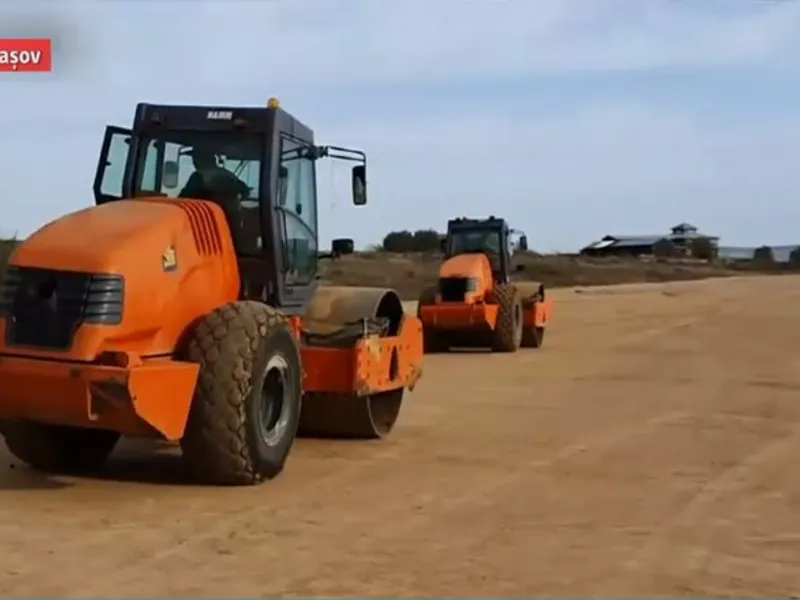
{"points": [[45, 308]]}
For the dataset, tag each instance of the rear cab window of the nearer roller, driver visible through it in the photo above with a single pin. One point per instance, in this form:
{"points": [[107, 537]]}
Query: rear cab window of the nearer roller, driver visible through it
{"points": [[210, 166]]}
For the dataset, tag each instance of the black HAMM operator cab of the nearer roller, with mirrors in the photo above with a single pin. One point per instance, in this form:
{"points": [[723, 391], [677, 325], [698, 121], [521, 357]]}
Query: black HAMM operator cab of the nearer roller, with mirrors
{"points": [[258, 164]]}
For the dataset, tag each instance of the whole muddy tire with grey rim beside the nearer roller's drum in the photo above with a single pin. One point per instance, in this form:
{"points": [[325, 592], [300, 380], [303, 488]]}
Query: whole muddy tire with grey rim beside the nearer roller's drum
{"points": [[244, 416]]}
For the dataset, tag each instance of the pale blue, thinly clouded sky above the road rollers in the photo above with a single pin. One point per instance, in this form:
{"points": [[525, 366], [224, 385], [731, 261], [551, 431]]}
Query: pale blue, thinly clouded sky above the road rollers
{"points": [[573, 119]]}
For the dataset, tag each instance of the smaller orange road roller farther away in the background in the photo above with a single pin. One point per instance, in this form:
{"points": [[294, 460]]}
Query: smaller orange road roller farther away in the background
{"points": [[475, 303]]}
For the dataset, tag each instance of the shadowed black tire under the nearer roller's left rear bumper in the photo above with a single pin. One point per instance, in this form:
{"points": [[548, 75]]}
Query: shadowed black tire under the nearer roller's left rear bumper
{"points": [[57, 448]]}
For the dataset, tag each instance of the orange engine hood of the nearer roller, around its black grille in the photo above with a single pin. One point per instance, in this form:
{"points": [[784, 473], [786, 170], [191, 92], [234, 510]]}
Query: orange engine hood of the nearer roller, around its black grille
{"points": [[175, 257]]}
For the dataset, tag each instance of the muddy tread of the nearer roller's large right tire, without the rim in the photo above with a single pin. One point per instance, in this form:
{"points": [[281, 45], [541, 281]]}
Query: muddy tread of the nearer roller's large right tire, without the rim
{"points": [[225, 344]]}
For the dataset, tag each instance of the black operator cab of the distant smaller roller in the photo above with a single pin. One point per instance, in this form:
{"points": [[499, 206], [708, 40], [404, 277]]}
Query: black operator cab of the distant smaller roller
{"points": [[491, 237]]}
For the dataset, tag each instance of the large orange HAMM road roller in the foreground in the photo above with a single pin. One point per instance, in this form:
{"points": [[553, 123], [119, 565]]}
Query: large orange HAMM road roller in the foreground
{"points": [[185, 306]]}
